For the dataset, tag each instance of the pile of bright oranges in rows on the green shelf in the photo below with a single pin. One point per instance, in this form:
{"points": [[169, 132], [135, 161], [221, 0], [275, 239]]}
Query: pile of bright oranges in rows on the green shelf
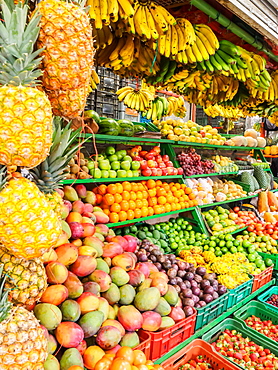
{"points": [[131, 200]]}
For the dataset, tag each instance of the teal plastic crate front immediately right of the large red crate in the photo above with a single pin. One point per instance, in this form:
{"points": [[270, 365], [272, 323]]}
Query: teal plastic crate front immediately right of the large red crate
{"points": [[211, 310]]}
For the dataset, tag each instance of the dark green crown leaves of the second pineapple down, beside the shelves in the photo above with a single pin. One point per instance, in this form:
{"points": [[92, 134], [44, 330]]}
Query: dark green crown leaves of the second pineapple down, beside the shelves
{"points": [[49, 174]]}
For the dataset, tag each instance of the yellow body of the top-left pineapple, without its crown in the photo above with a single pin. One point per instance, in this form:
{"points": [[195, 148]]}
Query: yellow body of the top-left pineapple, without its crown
{"points": [[25, 126]]}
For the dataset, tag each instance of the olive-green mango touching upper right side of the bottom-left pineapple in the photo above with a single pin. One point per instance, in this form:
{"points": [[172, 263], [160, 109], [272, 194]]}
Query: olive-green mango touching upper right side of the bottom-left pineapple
{"points": [[48, 315]]}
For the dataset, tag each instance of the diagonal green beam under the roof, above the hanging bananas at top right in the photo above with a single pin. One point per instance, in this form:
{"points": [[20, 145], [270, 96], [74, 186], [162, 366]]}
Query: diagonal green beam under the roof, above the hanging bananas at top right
{"points": [[231, 26]]}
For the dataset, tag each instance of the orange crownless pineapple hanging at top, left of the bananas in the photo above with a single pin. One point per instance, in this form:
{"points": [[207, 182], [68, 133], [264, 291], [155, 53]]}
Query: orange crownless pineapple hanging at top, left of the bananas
{"points": [[66, 34]]}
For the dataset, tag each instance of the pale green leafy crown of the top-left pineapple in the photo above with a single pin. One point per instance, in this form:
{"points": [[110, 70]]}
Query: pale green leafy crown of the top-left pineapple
{"points": [[19, 63]]}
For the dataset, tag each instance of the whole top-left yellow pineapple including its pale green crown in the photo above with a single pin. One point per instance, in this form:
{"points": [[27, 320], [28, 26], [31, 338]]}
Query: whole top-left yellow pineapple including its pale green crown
{"points": [[25, 112]]}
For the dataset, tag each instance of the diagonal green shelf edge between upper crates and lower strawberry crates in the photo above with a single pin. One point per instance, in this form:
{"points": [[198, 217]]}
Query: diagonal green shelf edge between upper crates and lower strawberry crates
{"points": [[199, 333]]}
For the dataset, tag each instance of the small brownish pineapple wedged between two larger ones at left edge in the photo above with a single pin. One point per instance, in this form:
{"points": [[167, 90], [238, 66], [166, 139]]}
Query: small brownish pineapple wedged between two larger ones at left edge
{"points": [[26, 279]]}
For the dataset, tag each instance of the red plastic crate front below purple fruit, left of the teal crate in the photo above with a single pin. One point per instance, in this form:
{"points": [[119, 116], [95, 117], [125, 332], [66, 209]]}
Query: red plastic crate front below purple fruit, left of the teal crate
{"points": [[163, 341]]}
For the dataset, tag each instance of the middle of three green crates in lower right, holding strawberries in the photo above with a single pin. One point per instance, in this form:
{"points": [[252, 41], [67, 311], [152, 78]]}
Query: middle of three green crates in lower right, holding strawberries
{"points": [[257, 309]]}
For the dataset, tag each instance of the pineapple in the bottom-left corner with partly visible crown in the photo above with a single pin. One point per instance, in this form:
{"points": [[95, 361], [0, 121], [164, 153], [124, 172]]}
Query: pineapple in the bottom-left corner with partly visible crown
{"points": [[23, 344]]}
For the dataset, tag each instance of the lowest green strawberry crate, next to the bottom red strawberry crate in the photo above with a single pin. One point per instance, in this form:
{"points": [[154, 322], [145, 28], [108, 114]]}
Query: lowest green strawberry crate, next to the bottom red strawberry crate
{"points": [[232, 324]]}
